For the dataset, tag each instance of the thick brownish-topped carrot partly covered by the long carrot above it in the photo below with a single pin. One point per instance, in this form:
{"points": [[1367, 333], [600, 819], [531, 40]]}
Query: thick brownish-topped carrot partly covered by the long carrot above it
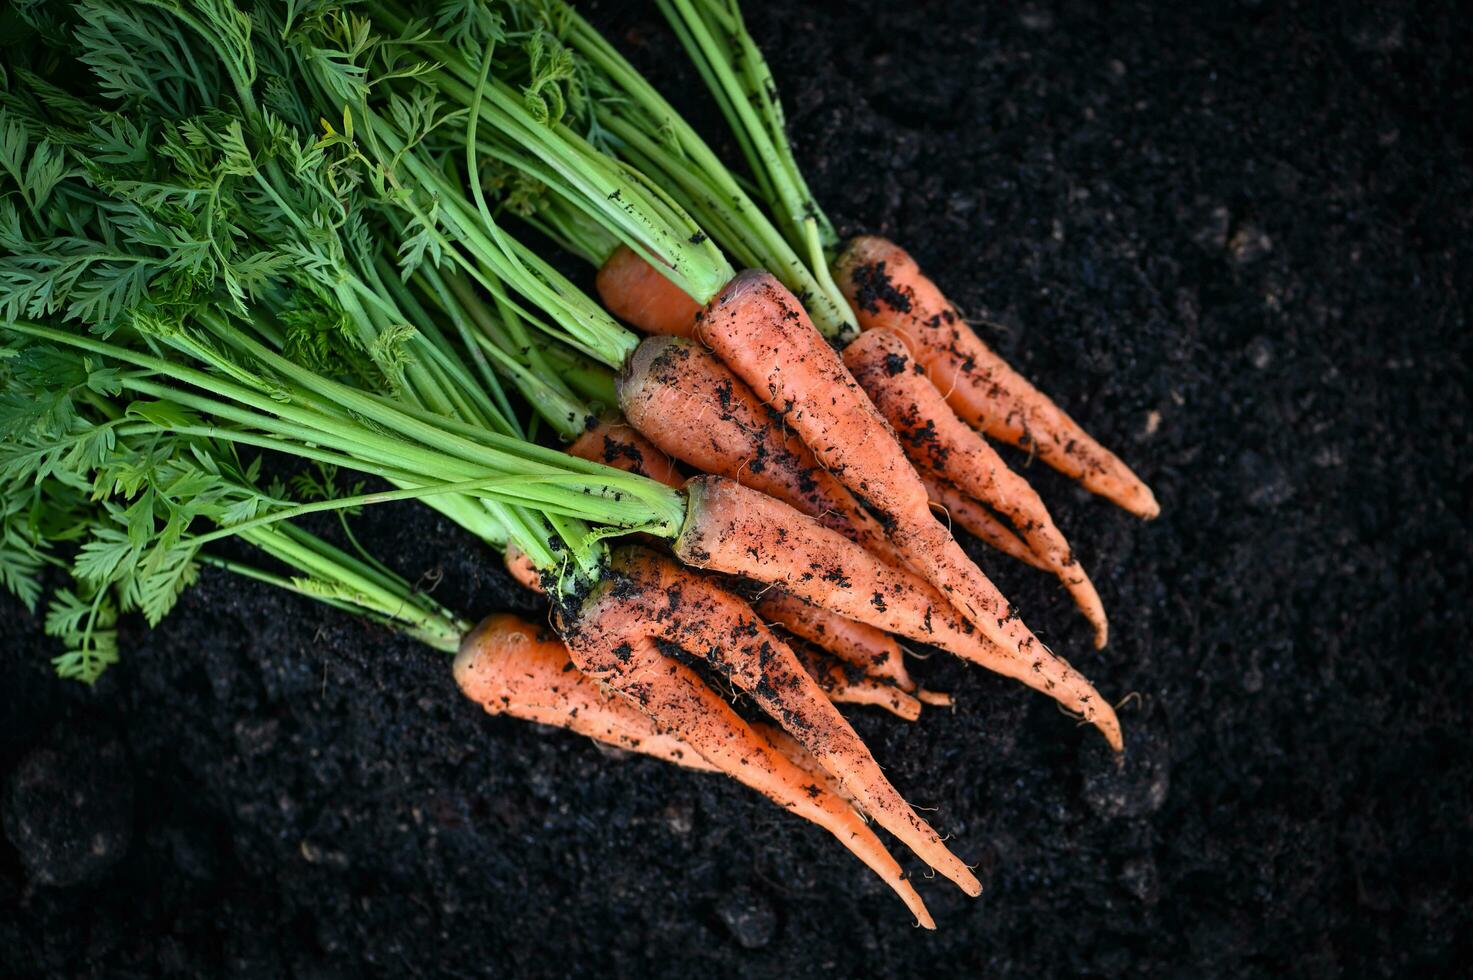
{"points": [[690, 405]]}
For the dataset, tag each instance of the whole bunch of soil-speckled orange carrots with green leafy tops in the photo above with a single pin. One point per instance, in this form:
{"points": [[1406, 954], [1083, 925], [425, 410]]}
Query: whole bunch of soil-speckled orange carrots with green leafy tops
{"points": [[281, 231]]}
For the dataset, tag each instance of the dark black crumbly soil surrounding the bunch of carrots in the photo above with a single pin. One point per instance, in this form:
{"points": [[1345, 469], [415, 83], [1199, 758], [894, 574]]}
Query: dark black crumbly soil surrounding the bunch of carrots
{"points": [[1232, 239]]}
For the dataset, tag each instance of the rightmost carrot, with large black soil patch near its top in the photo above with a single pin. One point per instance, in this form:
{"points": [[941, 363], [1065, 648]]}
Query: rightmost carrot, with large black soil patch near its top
{"points": [[887, 290]]}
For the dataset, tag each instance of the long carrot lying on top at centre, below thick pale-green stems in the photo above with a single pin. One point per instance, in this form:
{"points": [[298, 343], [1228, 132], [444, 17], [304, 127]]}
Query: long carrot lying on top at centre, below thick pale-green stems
{"points": [[759, 329]]}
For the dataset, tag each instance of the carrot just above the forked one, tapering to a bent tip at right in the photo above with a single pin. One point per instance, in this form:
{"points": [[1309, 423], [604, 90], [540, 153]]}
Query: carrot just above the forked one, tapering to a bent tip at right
{"points": [[739, 531]]}
